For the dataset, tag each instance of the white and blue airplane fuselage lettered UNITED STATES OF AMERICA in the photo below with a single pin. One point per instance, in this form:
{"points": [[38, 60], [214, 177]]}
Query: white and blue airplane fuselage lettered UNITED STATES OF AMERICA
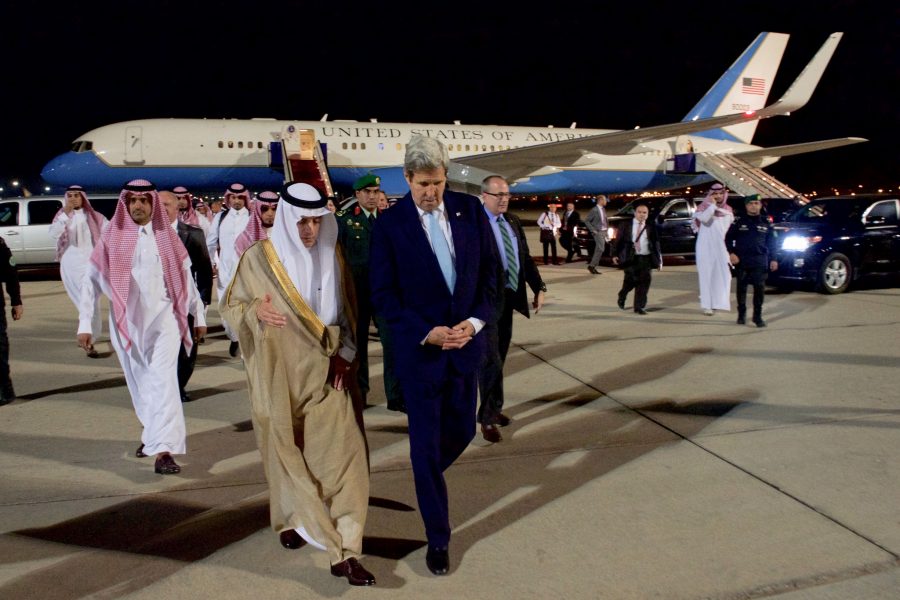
{"points": [[210, 154]]}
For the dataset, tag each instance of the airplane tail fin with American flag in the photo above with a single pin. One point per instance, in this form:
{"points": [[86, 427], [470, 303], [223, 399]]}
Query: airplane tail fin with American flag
{"points": [[744, 87]]}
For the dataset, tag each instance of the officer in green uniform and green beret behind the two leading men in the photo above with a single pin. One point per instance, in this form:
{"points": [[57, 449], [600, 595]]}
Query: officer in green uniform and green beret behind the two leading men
{"points": [[355, 228]]}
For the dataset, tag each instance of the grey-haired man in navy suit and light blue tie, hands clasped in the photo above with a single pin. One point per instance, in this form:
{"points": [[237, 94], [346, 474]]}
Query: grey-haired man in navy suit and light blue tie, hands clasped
{"points": [[433, 274]]}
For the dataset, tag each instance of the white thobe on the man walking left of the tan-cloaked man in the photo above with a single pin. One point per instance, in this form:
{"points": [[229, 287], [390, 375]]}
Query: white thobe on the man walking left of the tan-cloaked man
{"points": [[151, 364]]}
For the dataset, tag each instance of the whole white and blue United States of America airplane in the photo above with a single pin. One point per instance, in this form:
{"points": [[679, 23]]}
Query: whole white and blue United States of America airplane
{"points": [[210, 154]]}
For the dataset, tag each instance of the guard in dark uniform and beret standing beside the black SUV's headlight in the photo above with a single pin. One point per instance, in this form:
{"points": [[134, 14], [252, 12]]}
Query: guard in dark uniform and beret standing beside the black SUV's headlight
{"points": [[751, 241]]}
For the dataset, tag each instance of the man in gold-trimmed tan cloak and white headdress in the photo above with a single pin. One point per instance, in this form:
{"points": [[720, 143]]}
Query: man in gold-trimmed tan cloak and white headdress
{"points": [[288, 306]]}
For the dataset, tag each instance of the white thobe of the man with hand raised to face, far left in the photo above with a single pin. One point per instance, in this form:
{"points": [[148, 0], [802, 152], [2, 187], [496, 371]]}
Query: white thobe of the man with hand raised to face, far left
{"points": [[75, 259]]}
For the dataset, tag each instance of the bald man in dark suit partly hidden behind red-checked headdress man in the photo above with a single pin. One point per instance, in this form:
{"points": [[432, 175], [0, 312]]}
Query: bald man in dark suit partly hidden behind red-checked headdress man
{"points": [[201, 269]]}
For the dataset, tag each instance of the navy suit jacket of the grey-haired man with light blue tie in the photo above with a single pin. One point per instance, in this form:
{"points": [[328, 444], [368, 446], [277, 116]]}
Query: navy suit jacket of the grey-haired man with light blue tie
{"points": [[409, 291]]}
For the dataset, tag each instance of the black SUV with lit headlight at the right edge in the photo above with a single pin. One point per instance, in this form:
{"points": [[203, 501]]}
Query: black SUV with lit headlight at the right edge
{"points": [[833, 241]]}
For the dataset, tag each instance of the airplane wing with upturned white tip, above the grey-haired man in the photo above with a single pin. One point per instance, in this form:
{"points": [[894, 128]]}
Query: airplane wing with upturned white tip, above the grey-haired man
{"points": [[520, 162]]}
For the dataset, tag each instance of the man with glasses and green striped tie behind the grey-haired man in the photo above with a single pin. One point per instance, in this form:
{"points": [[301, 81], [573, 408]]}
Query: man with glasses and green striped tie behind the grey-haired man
{"points": [[515, 269]]}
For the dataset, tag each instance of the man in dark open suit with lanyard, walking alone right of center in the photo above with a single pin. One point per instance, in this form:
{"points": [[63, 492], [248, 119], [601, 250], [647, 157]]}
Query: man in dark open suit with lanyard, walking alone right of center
{"points": [[637, 251]]}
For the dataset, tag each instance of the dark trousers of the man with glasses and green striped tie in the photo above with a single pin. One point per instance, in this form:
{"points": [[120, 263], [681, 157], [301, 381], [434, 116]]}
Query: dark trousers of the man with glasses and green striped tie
{"points": [[490, 377]]}
